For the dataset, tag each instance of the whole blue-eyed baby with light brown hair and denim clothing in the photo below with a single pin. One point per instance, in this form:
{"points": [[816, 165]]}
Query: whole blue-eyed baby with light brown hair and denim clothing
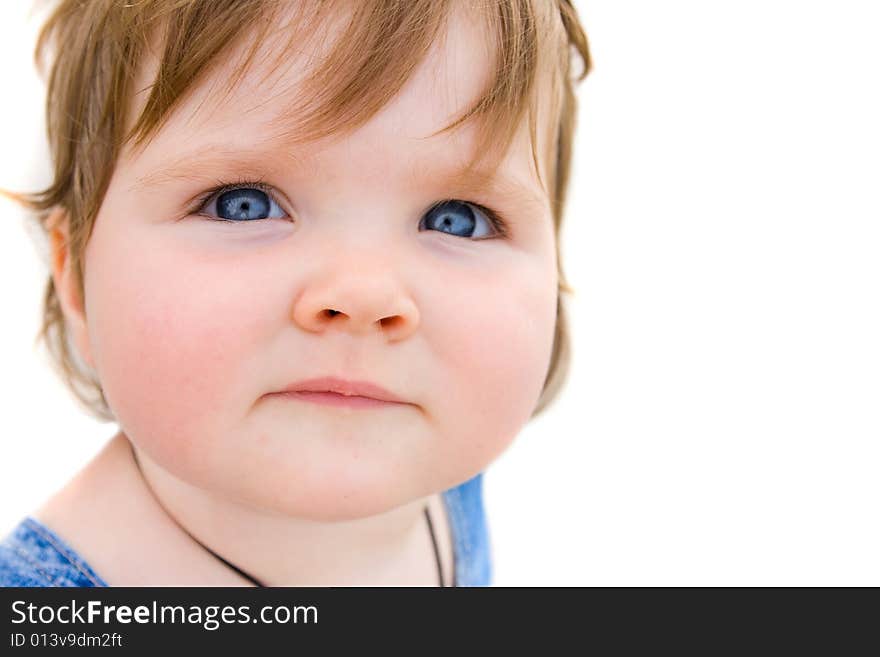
{"points": [[306, 256]]}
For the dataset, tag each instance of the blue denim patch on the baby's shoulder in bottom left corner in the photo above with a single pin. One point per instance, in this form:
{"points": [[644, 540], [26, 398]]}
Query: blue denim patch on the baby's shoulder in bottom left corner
{"points": [[32, 555]]}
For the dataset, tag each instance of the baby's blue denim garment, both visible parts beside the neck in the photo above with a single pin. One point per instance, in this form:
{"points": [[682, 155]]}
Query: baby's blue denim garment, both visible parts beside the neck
{"points": [[33, 555]]}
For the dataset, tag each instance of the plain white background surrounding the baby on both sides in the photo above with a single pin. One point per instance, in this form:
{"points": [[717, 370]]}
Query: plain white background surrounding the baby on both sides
{"points": [[721, 425]]}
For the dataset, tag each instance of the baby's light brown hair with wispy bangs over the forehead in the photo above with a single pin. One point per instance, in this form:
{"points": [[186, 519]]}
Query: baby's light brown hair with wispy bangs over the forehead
{"points": [[94, 49]]}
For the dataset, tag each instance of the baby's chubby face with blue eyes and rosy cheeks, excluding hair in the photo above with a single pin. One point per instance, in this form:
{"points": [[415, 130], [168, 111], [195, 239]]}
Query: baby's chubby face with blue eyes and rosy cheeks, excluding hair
{"points": [[192, 323]]}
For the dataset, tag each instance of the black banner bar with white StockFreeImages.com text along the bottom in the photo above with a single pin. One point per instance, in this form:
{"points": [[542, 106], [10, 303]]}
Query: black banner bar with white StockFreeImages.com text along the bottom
{"points": [[331, 619]]}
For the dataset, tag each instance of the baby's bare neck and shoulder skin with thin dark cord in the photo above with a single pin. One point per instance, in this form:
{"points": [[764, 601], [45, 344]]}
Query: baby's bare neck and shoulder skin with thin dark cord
{"points": [[139, 529]]}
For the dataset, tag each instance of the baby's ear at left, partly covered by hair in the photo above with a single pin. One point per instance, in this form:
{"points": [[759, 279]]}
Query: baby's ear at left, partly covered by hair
{"points": [[65, 282]]}
